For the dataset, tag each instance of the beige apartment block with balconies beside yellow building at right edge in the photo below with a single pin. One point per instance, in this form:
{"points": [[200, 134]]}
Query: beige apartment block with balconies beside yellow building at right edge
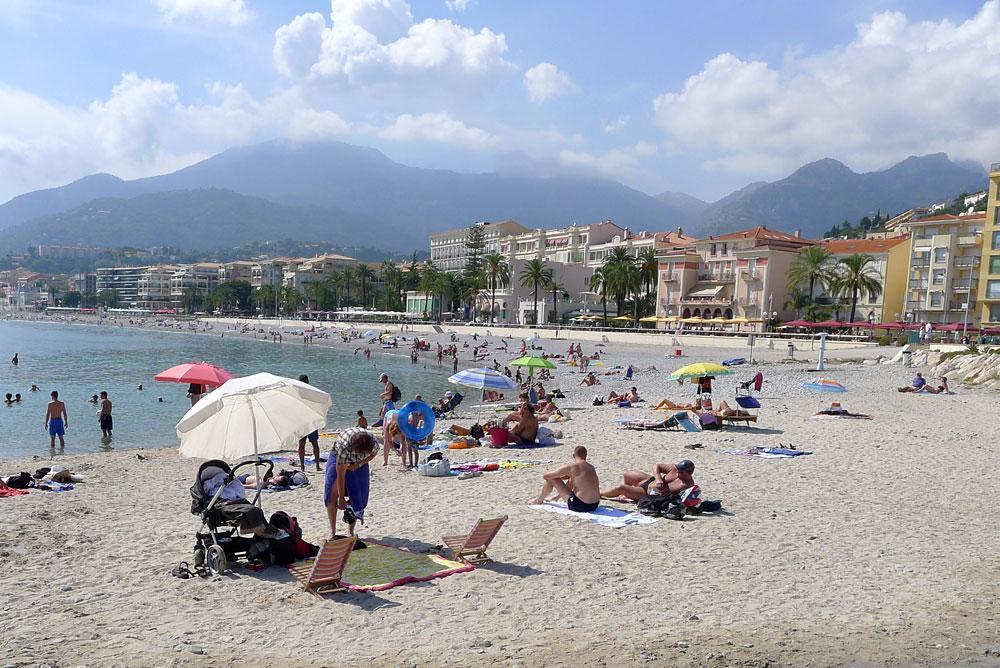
{"points": [[943, 280]]}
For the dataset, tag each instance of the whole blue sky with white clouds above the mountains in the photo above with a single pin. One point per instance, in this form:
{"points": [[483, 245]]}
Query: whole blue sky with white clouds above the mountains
{"points": [[696, 97]]}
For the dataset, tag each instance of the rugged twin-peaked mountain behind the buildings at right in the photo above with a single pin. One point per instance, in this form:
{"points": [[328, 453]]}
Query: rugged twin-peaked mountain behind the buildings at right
{"points": [[825, 192]]}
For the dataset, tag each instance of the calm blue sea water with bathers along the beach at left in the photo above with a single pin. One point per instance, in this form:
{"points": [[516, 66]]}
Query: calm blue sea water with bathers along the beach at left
{"points": [[81, 360]]}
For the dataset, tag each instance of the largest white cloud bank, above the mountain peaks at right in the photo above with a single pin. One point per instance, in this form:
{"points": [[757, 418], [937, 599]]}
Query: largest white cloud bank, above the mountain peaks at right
{"points": [[898, 88]]}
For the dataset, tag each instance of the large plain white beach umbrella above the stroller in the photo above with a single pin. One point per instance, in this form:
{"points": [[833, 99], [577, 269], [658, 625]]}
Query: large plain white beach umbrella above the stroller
{"points": [[250, 415]]}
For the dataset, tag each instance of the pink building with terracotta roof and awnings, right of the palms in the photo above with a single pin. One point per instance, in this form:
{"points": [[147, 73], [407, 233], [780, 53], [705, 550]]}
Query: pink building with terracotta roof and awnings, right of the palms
{"points": [[730, 275]]}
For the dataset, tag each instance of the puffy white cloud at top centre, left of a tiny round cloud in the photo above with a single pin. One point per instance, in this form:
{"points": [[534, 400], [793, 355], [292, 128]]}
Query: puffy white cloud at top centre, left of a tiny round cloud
{"points": [[376, 41]]}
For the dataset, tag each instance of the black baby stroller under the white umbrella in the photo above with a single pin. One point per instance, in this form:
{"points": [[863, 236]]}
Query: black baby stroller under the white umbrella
{"points": [[217, 542]]}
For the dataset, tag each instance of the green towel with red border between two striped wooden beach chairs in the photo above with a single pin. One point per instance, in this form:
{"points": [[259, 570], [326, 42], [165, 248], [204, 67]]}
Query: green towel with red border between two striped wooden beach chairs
{"points": [[382, 567]]}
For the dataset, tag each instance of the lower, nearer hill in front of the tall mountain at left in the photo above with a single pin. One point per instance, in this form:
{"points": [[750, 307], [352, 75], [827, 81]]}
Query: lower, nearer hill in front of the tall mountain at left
{"points": [[204, 219]]}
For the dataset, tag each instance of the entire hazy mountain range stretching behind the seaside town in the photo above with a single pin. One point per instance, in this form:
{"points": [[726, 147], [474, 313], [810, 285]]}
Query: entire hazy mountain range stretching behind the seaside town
{"points": [[340, 193]]}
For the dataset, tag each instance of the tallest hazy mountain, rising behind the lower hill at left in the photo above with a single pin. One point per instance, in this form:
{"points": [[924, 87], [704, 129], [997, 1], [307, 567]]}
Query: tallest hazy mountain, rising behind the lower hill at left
{"points": [[405, 204]]}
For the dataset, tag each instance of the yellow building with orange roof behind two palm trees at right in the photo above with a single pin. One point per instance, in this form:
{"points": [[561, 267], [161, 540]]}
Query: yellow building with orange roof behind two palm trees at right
{"points": [[891, 261]]}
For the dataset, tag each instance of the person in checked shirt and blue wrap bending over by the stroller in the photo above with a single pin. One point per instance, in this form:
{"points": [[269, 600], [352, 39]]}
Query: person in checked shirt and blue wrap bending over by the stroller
{"points": [[347, 483]]}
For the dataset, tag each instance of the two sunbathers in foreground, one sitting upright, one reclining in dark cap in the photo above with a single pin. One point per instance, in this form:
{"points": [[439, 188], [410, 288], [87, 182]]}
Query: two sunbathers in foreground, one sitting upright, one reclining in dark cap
{"points": [[577, 483]]}
